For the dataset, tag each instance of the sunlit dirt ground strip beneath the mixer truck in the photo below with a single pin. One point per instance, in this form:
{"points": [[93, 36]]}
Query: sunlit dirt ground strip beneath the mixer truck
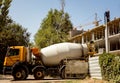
{"points": [[30, 79]]}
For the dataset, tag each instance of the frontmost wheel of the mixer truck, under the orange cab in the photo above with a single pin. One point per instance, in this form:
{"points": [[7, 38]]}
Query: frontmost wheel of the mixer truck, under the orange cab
{"points": [[20, 74]]}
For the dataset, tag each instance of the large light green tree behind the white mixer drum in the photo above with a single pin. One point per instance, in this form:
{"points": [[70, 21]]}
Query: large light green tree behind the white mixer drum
{"points": [[54, 29]]}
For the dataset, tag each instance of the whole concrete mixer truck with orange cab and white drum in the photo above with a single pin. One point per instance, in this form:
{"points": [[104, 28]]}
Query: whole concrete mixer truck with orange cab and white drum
{"points": [[67, 60]]}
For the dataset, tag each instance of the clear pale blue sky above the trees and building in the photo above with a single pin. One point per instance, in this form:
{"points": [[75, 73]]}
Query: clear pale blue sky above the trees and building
{"points": [[30, 13]]}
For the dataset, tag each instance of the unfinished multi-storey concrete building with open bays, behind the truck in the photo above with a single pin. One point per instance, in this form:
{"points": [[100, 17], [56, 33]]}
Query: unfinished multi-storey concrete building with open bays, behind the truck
{"points": [[106, 37]]}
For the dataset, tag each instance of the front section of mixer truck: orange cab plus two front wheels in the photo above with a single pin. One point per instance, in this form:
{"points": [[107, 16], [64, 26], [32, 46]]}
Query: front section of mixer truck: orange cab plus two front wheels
{"points": [[19, 62]]}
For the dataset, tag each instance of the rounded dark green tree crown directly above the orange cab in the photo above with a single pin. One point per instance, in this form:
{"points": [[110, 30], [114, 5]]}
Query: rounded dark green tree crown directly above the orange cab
{"points": [[14, 34]]}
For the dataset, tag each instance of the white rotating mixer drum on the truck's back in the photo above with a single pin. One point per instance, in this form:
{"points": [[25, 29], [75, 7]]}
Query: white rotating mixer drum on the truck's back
{"points": [[53, 54]]}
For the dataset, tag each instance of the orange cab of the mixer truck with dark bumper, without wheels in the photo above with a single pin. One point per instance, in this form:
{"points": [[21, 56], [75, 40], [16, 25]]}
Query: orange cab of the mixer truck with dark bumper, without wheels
{"points": [[14, 54]]}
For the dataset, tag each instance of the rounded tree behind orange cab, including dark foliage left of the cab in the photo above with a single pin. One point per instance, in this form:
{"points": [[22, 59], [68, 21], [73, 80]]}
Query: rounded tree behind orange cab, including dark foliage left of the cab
{"points": [[12, 35]]}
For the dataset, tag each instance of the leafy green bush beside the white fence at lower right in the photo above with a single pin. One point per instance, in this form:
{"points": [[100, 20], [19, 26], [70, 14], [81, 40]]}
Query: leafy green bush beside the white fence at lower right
{"points": [[110, 67]]}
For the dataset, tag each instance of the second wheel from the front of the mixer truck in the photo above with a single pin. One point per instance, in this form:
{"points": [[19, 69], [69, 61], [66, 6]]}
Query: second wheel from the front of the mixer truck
{"points": [[39, 73]]}
